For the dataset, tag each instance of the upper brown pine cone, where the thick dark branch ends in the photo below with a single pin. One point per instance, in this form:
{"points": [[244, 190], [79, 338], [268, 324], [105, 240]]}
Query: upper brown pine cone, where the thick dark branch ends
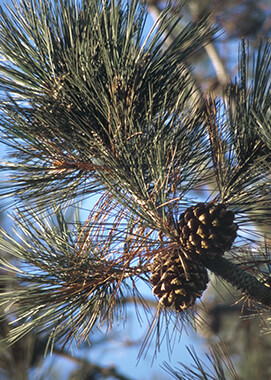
{"points": [[207, 229]]}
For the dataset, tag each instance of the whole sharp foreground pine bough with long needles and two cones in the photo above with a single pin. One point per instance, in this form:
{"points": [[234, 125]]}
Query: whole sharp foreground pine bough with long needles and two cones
{"points": [[91, 107]]}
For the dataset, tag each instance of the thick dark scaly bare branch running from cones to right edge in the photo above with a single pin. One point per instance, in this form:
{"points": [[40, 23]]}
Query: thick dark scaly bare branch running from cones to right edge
{"points": [[242, 280]]}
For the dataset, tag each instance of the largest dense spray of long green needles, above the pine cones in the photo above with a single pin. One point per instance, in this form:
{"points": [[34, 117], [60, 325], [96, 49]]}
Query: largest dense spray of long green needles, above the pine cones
{"points": [[100, 111]]}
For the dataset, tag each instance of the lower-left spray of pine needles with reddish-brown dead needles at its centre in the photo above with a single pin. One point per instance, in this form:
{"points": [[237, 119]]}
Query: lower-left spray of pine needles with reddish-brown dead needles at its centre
{"points": [[76, 274]]}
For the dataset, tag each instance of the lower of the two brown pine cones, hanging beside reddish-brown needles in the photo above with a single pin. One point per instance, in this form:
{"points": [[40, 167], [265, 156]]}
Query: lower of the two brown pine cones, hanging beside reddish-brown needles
{"points": [[174, 286]]}
